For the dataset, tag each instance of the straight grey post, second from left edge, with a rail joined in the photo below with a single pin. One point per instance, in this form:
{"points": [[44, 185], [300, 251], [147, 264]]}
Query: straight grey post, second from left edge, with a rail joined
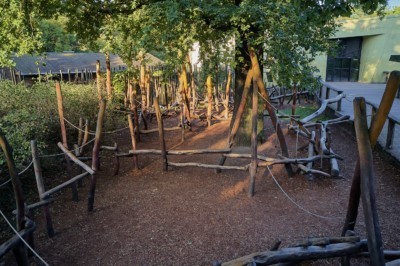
{"points": [[41, 188]]}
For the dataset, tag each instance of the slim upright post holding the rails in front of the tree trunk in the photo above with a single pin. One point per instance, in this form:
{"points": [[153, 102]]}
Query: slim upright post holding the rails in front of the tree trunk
{"points": [[254, 119]]}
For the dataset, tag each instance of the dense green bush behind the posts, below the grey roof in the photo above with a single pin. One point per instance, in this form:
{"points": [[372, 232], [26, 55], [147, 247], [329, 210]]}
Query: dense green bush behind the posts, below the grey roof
{"points": [[28, 113]]}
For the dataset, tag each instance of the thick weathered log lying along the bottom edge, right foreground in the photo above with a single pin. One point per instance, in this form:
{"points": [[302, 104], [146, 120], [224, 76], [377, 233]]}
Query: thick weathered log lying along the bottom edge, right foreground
{"points": [[297, 254]]}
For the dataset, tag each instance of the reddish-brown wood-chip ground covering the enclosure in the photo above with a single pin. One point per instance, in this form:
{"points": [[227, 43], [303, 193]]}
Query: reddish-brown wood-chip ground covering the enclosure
{"points": [[193, 216]]}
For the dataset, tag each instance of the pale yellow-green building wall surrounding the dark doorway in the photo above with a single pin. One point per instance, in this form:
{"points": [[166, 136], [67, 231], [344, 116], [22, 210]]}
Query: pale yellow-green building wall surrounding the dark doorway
{"points": [[381, 38]]}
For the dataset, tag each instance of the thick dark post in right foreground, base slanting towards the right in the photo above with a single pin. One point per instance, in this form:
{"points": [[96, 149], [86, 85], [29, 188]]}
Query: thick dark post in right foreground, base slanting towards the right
{"points": [[375, 245]]}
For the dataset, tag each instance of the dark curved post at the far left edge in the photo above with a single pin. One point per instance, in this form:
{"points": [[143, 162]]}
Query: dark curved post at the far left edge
{"points": [[19, 250]]}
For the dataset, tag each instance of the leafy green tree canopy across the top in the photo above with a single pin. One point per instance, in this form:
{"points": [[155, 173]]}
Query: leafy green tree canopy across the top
{"points": [[291, 32]]}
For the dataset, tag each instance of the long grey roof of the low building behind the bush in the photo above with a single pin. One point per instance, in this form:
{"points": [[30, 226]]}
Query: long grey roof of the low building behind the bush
{"points": [[56, 62]]}
